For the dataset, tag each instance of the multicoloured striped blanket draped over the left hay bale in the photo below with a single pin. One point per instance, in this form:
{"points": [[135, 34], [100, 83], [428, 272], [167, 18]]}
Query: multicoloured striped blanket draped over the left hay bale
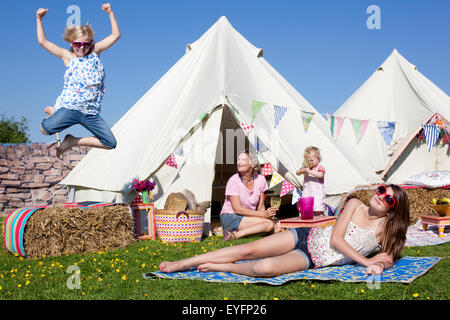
{"points": [[15, 223]]}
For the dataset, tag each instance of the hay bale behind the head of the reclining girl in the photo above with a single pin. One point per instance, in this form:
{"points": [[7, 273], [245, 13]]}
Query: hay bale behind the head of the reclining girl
{"points": [[419, 200]]}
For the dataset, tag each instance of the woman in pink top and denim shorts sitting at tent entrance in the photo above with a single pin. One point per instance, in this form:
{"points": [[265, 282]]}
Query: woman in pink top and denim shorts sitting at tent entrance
{"points": [[243, 212]]}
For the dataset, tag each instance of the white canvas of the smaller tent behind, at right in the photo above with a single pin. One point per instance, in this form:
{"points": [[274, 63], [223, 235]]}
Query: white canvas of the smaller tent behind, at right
{"points": [[395, 92]]}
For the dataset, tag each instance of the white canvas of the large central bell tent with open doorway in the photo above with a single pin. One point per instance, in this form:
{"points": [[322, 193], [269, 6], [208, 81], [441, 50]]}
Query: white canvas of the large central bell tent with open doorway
{"points": [[182, 115]]}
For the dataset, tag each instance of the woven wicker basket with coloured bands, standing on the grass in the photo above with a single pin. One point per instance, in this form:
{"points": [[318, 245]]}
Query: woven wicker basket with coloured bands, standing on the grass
{"points": [[179, 225]]}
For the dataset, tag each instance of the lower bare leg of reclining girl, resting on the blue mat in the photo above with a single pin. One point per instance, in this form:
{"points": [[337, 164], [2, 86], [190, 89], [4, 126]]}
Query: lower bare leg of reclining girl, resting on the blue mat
{"points": [[270, 267]]}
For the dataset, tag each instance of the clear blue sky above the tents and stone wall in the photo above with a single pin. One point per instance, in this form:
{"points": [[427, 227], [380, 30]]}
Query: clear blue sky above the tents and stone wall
{"points": [[323, 48]]}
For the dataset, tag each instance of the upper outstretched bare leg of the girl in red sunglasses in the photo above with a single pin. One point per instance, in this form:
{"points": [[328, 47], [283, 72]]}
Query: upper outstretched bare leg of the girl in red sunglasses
{"points": [[273, 245]]}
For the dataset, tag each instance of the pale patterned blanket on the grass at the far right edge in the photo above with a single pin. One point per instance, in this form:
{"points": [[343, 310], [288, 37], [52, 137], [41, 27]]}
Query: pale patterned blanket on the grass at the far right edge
{"points": [[417, 237]]}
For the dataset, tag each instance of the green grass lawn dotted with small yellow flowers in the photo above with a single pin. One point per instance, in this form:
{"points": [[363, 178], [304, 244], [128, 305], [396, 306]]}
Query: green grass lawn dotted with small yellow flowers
{"points": [[117, 274]]}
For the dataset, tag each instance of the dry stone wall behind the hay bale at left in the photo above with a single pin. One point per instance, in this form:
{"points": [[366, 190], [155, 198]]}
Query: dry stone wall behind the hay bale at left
{"points": [[30, 173]]}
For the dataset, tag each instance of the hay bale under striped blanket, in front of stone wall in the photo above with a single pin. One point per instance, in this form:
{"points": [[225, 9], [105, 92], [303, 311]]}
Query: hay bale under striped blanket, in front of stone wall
{"points": [[56, 230]]}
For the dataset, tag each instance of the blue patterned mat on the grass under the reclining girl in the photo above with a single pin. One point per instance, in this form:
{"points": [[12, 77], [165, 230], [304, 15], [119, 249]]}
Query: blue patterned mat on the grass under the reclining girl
{"points": [[405, 270]]}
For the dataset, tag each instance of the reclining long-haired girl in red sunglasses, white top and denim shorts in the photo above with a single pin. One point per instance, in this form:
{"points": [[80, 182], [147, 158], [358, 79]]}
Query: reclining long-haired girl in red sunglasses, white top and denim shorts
{"points": [[358, 231]]}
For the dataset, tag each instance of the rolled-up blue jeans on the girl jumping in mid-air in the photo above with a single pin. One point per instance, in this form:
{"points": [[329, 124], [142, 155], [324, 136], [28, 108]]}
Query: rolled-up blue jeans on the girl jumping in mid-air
{"points": [[64, 118]]}
